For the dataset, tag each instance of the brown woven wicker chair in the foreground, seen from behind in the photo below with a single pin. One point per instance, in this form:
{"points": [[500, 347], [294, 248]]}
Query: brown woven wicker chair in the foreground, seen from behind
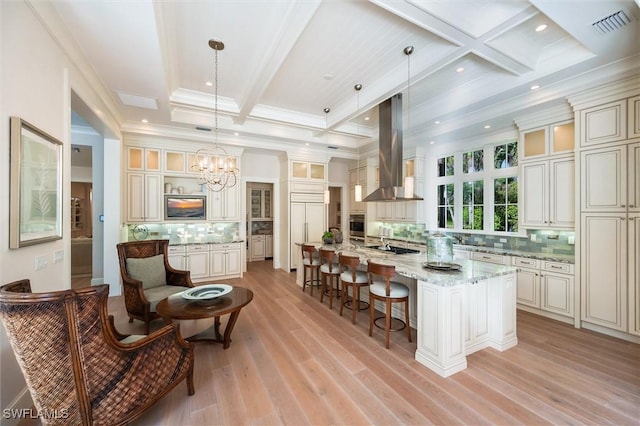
{"points": [[78, 368]]}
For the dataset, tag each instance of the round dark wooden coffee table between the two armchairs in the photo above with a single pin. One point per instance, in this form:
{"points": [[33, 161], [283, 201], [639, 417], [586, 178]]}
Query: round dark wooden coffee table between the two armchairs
{"points": [[176, 307]]}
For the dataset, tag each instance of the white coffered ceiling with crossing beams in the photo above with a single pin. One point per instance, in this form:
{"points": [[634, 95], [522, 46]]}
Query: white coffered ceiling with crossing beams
{"points": [[285, 61]]}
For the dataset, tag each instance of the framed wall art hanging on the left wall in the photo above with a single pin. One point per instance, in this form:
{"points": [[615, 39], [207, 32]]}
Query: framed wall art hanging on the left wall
{"points": [[35, 214]]}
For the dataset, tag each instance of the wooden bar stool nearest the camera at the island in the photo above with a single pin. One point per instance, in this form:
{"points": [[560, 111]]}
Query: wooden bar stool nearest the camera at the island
{"points": [[388, 292]]}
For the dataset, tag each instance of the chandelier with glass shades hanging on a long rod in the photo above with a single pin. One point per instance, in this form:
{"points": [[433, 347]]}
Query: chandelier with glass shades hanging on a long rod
{"points": [[214, 166]]}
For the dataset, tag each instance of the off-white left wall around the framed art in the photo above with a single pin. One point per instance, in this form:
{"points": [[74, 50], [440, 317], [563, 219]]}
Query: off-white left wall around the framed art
{"points": [[36, 79]]}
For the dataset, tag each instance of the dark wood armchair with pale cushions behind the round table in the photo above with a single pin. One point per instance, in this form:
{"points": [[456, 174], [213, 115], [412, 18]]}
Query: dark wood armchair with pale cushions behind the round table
{"points": [[147, 278]]}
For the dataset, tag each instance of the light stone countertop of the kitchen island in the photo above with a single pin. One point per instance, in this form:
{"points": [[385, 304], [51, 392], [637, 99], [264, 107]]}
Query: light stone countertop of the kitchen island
{"points": [[410, 265]]}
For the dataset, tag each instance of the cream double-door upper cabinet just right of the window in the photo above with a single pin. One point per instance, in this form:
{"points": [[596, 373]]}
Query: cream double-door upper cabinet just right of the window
{"points": [[548, 193]]}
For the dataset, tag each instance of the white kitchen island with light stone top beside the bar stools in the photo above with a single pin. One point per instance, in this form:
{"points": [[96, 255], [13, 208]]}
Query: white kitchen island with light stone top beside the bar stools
{"points": [[455, 313]]}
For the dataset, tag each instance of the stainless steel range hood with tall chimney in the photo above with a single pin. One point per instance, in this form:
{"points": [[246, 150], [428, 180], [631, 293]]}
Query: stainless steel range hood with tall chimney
{"points": [[390, 164]]}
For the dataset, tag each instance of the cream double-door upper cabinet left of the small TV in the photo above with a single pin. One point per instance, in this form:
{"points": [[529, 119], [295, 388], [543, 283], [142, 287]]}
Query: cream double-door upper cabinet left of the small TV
{"points": [[144, 197]]}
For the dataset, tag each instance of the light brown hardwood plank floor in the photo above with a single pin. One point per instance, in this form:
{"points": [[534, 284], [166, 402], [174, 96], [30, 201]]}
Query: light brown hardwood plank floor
{"points": [[294, 361]]}
